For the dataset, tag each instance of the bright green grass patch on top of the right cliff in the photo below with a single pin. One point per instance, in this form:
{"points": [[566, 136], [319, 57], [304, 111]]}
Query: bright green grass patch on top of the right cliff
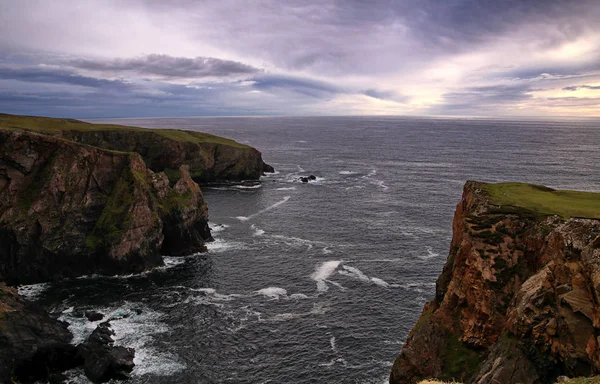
{"points": [[537, 200]]}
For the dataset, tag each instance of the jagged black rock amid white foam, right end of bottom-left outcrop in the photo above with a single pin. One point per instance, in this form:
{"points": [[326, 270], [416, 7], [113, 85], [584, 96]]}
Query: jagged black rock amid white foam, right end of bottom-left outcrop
{"points": [[102, 360]]}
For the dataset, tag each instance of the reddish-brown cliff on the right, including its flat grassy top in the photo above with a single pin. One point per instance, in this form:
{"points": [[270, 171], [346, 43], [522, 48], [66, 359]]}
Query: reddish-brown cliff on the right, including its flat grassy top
{"points": [[518, 298]]}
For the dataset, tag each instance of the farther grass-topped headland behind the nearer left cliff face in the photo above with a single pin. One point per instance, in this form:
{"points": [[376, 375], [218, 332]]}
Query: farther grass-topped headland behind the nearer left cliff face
{"points": [[210, 158]]}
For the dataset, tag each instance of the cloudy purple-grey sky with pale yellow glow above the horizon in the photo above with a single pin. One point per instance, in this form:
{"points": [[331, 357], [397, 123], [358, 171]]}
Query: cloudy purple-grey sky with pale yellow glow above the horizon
{"points": [[138, 58]]}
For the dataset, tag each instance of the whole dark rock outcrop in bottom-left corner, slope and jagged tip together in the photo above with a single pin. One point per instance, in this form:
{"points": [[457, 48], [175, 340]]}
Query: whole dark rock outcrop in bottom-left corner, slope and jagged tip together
{"points": [[35, 347]]}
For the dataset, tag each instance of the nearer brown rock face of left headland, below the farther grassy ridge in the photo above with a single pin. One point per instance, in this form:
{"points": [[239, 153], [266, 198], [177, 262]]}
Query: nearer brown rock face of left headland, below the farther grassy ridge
{"points": [[68, 209]]}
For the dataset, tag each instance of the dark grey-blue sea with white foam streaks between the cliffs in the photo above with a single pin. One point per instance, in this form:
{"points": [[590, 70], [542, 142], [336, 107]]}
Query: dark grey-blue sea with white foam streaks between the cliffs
{"points": [[320, 283]]}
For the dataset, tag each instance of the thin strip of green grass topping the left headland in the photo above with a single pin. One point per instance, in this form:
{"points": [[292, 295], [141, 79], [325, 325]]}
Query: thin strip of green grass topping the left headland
{"points": [[55, 126]]}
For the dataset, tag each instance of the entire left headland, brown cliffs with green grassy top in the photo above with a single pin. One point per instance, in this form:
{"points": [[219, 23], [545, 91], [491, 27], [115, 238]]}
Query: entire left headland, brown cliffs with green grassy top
{"points": [[79, 198]]}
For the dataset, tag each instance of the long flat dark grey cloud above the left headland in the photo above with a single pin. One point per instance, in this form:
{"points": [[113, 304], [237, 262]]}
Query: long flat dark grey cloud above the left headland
{"points": [[168, 66]]}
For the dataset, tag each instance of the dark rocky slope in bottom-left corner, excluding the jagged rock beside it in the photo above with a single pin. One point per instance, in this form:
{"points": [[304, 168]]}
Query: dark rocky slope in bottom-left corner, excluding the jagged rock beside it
{"points": [[33, 345]]}
